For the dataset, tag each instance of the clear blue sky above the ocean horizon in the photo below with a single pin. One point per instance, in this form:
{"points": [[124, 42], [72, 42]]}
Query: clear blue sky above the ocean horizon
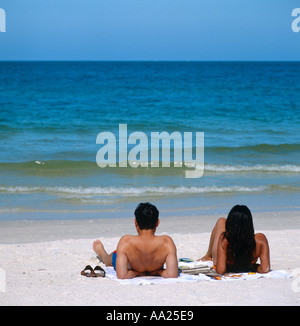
{"points": [[149, 30]]}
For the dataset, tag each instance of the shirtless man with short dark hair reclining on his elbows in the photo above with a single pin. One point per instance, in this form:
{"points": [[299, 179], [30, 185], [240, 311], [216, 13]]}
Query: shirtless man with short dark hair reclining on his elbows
{"points": [[142, 254]]}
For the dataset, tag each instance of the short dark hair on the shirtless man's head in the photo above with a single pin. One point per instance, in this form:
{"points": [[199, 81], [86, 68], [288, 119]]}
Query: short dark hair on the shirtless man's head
{"points": [[146, 216]]}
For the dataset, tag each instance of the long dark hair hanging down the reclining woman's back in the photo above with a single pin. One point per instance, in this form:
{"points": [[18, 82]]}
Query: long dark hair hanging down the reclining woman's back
{"points": [[240, 236]]}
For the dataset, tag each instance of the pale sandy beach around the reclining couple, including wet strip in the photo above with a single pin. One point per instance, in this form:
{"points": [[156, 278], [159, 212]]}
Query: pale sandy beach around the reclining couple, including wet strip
{"points": [[40, 264]]}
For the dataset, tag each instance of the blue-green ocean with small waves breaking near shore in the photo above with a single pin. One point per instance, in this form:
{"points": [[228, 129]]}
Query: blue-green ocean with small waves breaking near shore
{"points": [[52, 112]]}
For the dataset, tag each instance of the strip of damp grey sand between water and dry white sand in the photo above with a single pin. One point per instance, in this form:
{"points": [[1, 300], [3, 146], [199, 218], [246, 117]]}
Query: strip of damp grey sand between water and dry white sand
{"points": [[36, 231]]}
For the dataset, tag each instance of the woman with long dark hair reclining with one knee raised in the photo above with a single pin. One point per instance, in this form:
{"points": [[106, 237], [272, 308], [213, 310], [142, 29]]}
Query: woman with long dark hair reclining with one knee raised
{"points": [[234, 247]]}
